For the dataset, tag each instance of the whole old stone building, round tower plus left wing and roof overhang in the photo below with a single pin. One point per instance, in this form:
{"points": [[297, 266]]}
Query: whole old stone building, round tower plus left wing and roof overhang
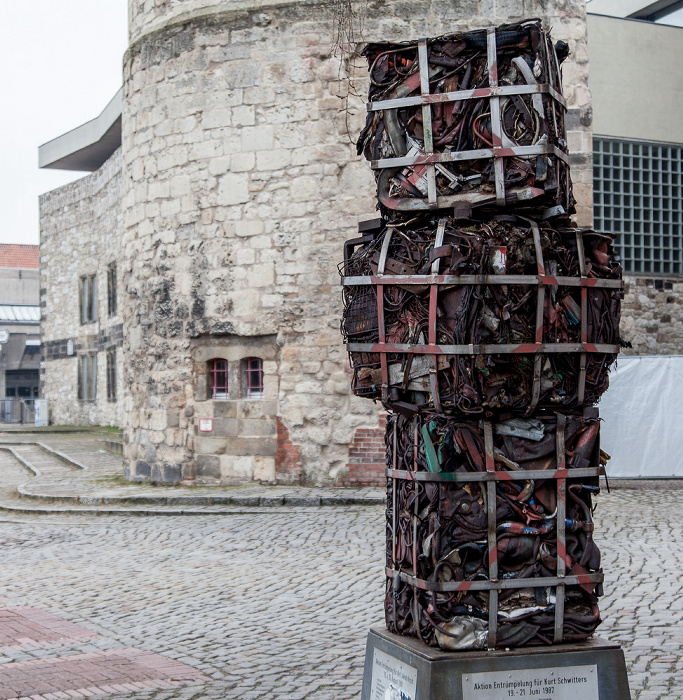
{"points": [[221, 193]]}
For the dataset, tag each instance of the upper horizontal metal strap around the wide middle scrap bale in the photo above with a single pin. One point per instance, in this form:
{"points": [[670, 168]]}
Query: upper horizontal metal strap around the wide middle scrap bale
{"points": [[532, 280]]}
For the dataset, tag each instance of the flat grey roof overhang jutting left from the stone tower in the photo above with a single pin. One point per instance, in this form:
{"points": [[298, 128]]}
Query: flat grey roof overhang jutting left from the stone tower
{"points": [[88, 146]]}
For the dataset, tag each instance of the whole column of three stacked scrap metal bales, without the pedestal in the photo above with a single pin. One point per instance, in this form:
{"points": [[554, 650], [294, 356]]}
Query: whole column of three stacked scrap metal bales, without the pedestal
{"points": [[486, 323]]}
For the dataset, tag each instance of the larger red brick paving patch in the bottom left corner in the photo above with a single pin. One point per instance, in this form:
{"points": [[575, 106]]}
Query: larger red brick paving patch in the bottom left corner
{"points": [[99, 673]]}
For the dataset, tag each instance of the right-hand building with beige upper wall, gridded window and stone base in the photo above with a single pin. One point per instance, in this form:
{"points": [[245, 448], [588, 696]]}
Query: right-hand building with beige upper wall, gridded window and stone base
{"points": [[638, 170]]}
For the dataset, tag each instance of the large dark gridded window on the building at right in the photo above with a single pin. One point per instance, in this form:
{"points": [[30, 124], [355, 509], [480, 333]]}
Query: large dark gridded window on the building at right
{"points": [[637, 194]]}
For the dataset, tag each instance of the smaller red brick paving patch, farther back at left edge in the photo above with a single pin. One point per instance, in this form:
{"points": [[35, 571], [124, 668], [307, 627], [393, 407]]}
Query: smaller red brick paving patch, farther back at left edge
{"points": [[30, 628]]}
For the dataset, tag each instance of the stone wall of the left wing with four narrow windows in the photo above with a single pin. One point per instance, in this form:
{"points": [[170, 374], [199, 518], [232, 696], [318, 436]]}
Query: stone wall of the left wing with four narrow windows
{"points": [[80, 233]]}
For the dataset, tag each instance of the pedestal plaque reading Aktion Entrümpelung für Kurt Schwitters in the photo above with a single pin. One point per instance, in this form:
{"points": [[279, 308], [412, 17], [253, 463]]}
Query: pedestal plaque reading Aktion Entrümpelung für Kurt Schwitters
{"points": [[559, 683]]}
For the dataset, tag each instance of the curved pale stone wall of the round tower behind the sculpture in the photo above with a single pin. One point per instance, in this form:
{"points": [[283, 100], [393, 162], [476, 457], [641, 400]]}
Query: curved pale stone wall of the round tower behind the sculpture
{"points": [[240, 185]]}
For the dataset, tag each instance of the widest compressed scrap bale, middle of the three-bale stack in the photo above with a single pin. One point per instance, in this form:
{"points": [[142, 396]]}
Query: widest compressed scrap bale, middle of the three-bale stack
{"points": [[507, 314]]}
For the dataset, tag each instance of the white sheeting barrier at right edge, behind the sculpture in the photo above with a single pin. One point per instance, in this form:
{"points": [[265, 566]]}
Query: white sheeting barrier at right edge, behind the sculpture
{"points": [[642, 416]]}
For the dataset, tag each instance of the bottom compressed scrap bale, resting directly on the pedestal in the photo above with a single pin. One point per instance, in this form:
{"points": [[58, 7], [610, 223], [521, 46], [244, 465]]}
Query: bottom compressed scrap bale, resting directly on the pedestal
{"points": [[438, 533]]}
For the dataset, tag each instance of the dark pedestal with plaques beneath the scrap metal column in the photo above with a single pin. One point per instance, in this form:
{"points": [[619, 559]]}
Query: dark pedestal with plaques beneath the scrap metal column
{"points": [[403, 668]]}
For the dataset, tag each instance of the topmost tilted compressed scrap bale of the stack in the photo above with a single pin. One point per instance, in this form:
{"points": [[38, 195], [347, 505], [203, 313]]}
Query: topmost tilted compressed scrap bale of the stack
{"points": [[475, 119]]}
